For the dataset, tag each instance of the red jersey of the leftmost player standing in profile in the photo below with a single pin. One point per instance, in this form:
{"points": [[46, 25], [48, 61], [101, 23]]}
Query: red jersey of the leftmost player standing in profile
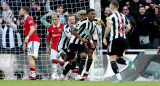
{"points": [[28, 22]]}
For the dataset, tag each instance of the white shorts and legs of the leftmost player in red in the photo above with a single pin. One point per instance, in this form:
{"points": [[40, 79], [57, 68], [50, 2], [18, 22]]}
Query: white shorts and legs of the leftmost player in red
{"points": [[33, 48]]}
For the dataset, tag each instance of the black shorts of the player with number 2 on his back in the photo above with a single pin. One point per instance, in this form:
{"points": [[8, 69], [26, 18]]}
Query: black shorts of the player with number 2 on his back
{"points": [[117, 46]]}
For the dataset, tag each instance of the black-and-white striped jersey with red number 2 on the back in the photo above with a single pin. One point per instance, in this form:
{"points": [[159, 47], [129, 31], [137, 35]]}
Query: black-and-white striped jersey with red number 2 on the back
{"points": [[119, 23]]}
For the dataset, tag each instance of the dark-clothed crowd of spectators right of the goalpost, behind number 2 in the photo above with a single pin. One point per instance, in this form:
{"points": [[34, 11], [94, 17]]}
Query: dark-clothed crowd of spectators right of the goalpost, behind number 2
{"points": [[144, 19]]}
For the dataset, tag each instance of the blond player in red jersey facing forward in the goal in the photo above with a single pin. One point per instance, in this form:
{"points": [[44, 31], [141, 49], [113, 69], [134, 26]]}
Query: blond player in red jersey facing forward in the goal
{"points": [[54, 32]]}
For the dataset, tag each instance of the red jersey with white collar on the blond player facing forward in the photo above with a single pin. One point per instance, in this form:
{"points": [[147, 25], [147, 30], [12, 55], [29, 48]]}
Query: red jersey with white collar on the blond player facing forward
{"points": [[55, 33]]}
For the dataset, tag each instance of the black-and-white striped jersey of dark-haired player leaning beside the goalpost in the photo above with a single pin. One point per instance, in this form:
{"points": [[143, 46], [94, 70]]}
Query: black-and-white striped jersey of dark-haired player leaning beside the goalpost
{"points": [[85, 28]]}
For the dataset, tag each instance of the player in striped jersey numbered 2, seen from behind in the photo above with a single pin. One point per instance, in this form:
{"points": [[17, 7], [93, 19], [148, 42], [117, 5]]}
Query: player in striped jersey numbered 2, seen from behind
{"points": [[117, 26]]}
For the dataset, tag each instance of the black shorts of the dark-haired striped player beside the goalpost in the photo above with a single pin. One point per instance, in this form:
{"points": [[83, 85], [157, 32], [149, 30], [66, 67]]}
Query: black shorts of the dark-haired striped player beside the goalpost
{"points": [[73, 48]]}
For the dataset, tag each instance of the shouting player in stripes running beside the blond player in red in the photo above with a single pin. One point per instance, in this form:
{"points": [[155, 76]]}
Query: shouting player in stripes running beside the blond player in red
{"points": [[63, 44]]}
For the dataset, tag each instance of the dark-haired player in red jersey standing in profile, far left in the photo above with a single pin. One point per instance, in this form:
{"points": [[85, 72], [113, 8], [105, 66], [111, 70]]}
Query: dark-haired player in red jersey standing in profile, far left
{"points": [[32, 41]]}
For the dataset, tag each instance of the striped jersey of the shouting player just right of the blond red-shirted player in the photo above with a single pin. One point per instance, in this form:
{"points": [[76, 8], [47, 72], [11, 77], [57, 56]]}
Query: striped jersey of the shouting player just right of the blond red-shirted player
{"points": [[64, 40]]}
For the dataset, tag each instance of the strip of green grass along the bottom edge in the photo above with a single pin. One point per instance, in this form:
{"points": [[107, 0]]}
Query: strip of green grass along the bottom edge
{"points": [[75, 83]]}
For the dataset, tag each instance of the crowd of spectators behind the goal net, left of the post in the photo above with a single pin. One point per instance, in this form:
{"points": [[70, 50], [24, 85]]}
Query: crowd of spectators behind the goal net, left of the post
{"points": [[11, 24]]}
